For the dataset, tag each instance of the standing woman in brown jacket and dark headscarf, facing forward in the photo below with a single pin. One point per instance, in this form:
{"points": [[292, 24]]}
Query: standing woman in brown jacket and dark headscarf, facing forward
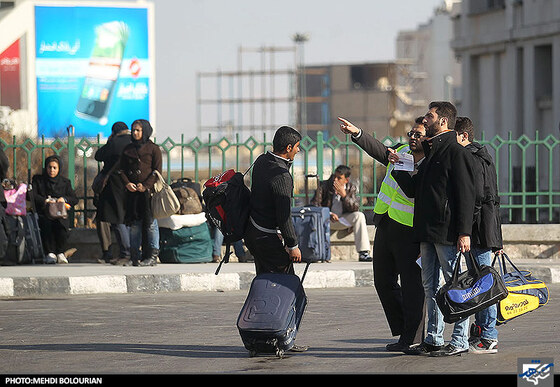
{"points": [[139, 161]]}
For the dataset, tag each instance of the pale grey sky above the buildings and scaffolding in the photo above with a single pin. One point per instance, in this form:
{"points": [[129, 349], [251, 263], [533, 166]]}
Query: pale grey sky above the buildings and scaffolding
{"points": [[204, 36]]}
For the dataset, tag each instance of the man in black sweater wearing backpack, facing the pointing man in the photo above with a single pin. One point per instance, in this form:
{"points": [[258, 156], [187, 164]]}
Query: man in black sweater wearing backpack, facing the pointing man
{"points": [[270, 235]]}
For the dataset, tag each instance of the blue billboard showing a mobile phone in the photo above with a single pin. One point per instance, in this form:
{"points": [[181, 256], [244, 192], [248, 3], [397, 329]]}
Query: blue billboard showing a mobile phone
{"points": [[92, 68]]}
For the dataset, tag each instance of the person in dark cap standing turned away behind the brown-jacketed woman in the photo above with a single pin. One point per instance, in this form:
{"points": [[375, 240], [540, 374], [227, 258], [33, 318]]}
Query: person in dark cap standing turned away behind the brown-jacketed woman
{"points": [[110, 203]]}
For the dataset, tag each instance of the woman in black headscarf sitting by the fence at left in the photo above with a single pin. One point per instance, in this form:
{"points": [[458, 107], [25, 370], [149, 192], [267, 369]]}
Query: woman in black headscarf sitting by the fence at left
{"points": [[54, 232]]}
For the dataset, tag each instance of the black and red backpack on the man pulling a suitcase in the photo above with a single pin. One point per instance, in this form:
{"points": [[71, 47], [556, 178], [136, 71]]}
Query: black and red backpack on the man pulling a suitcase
{"points": [[227, 201]]}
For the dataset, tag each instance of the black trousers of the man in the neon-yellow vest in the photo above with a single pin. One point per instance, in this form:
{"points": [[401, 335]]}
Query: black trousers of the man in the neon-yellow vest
{"points": [[394, 256]]}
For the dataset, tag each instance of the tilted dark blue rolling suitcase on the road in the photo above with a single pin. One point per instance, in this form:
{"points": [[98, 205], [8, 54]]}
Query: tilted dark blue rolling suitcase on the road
{"points": [[272, 313]]}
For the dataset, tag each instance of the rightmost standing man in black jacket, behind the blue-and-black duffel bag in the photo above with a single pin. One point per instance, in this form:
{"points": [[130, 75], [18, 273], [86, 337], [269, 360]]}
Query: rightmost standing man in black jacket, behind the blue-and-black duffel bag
{"points": [[487, 230]]}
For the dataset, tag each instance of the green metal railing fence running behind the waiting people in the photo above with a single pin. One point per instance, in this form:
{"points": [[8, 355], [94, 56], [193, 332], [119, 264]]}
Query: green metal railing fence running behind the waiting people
{"points": [[528, 168]]}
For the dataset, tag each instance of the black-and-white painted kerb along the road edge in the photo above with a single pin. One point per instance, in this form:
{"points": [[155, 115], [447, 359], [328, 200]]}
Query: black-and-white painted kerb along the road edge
{"points": [[145, 282]]}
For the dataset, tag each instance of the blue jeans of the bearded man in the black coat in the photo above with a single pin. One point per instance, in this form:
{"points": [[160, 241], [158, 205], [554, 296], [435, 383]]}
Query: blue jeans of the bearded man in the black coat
{"points": [[440, 259]]}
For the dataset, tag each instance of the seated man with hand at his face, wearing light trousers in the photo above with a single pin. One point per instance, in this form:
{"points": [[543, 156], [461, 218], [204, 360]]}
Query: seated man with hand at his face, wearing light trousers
{"points": [[339, 195]]}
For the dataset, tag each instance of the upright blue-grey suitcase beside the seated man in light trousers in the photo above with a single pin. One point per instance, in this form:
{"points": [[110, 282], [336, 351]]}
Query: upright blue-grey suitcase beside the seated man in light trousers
{"points": [[313, 228]]}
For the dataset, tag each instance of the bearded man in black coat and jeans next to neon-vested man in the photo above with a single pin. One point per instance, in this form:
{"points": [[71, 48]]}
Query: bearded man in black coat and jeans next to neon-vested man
{"points": [[444, 196]]}
